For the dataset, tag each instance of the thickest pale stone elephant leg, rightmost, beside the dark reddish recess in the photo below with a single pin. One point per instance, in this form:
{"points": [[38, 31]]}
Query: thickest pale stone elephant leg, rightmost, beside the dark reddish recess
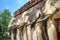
{"points": [[52, 34]]}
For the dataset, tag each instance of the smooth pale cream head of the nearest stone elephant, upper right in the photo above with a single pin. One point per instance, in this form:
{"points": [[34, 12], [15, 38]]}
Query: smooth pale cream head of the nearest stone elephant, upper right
{"points": [[49, 8]]}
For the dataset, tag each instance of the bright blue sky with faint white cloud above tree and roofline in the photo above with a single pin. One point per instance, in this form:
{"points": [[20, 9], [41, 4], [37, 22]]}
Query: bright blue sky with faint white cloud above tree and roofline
{"points": [[12, 5]]}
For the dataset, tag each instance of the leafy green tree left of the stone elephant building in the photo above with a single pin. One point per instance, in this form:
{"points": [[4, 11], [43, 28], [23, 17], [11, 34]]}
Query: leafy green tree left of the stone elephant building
{"points": [[5, 17]]}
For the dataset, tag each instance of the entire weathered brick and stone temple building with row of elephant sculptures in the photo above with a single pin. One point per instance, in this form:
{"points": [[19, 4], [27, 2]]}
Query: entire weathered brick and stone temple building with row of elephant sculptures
{"points": [[36, 20]]}
